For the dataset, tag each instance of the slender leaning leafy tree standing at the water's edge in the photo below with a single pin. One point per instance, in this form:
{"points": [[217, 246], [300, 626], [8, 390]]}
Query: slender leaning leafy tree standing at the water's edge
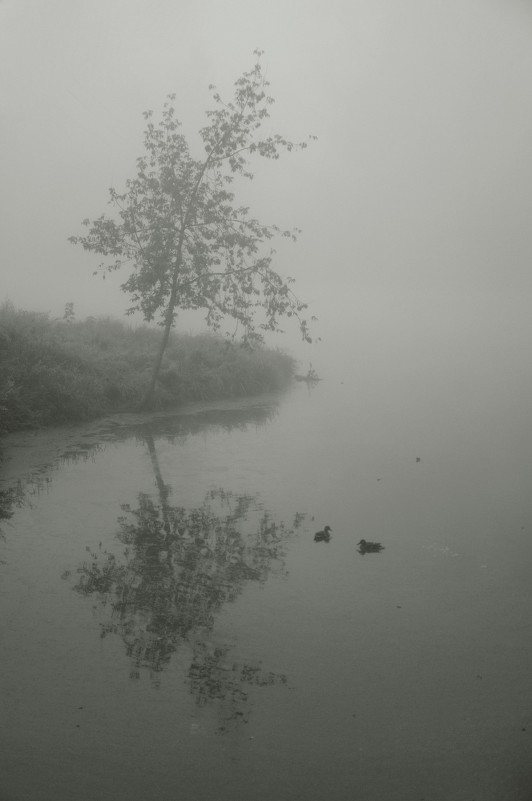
{"points": [[189, 245]]}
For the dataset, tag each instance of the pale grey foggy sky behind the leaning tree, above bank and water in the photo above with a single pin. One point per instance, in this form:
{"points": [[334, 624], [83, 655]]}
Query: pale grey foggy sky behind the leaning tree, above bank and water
{"points": [[420, 181]]}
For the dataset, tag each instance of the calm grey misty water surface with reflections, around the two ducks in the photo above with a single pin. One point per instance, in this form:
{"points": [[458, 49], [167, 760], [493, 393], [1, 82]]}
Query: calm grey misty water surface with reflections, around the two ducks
{"points": [[170, 629]]}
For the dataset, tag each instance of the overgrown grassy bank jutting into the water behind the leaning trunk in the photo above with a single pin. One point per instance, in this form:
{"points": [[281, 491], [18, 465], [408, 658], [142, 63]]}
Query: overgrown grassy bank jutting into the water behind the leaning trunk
{"points": [[60, 371]]}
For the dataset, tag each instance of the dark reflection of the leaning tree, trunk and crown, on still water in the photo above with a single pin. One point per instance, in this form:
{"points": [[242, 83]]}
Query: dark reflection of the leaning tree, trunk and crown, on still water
{"points": [[176, 571]]}
